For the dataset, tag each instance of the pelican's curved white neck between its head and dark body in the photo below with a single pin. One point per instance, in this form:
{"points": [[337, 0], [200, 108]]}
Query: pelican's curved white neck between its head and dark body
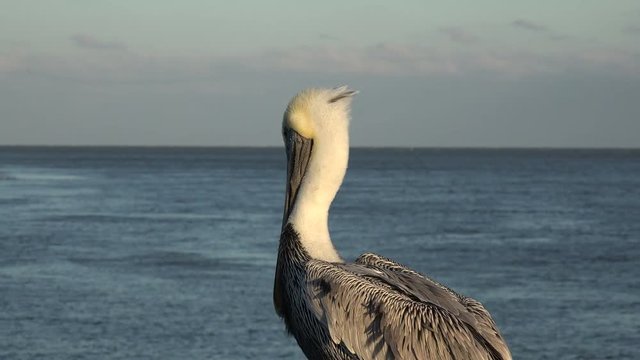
{"points": [[325, 172]]}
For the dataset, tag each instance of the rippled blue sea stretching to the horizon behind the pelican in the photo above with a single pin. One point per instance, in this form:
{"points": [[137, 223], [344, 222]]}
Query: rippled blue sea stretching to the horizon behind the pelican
{"points": [[145, 253]]}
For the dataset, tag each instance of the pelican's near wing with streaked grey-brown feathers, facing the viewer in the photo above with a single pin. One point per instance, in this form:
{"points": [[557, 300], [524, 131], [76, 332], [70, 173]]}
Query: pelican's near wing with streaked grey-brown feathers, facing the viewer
{"points": [[376, 316]]}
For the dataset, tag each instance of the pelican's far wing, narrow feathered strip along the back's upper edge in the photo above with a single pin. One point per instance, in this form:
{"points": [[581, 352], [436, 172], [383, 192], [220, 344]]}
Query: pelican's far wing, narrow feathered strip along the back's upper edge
{"points": [[474, 313]]}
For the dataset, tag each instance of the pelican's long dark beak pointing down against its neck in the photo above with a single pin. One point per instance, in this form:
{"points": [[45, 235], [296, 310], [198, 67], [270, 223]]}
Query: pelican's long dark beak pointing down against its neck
{"points": [[298, 154]]}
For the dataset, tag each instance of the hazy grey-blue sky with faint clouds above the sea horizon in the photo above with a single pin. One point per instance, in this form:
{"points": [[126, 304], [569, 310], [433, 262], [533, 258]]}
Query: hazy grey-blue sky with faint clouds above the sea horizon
{"points": [[212, 73]]}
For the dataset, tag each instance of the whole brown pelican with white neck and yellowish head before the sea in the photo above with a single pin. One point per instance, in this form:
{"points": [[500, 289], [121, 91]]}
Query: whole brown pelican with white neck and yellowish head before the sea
{"points": [[373, 308]]}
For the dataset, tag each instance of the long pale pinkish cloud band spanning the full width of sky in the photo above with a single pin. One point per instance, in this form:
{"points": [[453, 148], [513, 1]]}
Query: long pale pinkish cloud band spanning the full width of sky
{"points": [[384, 59]]}
